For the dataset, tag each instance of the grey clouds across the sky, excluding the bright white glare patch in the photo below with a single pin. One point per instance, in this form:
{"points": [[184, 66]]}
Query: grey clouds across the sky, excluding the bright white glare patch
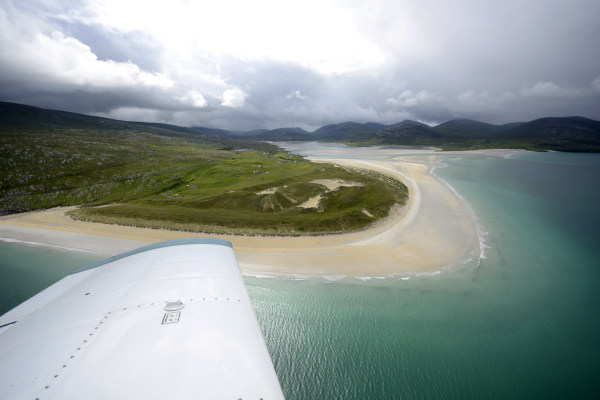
{"points": [[497, 63]]}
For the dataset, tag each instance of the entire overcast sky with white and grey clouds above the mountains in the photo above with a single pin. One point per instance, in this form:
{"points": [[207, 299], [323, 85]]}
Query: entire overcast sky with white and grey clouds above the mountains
{"points": [[240, 64]]}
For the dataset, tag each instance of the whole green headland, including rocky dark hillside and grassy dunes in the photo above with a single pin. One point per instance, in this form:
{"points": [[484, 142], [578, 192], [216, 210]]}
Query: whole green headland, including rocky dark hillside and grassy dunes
{"points": [[163, 176]]}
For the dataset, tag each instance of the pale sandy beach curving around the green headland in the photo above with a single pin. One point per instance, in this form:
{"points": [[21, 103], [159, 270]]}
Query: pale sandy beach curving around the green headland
{"points": [[433, 230]]}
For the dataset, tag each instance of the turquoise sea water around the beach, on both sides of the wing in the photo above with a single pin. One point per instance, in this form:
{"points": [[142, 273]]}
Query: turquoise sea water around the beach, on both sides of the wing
{"points": [[524, 324]]}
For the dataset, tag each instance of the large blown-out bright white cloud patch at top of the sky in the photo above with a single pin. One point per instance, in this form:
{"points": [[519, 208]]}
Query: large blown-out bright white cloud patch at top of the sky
{"points": [[320, 34]]}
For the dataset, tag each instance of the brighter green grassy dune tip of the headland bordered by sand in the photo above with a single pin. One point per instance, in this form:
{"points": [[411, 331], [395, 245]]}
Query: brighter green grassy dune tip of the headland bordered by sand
{"points": [[252, 193]]}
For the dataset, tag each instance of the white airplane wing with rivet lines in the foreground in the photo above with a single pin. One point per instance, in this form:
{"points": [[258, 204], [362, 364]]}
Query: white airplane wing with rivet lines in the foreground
{"points": [[171, 320]]}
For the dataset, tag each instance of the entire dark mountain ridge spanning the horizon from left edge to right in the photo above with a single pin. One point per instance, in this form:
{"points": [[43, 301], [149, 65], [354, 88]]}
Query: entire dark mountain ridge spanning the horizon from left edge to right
{"points": [[562, 134]]}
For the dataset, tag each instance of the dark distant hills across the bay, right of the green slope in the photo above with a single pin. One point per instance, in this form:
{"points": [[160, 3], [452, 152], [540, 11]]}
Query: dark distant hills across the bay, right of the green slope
{"points": [[576, 134]]}
